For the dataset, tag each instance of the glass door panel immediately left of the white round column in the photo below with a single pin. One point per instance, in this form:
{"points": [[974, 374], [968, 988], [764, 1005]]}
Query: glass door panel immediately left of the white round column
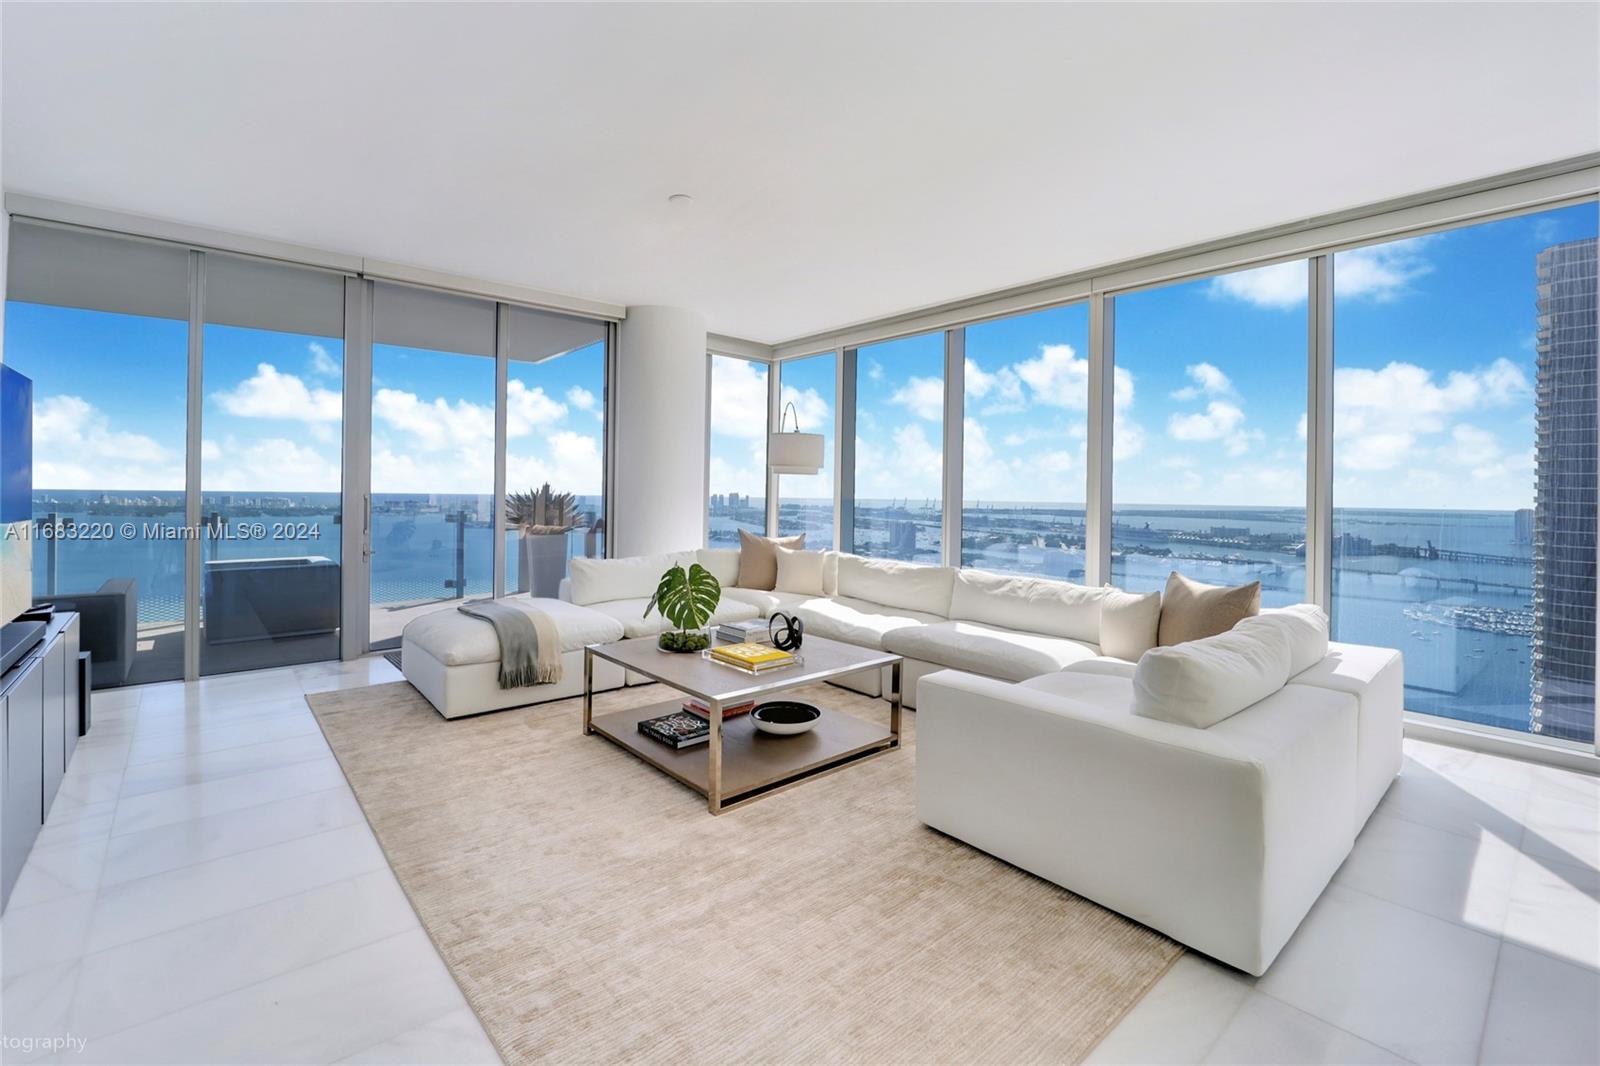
{"points": [[554, 447]]}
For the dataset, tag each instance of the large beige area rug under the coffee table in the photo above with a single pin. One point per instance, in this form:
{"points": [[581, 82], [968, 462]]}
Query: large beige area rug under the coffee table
{"points": [[594, 912]]}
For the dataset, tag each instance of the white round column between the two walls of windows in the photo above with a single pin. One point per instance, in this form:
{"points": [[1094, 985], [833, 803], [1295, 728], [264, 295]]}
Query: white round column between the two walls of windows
{"points": [[660, 486]]}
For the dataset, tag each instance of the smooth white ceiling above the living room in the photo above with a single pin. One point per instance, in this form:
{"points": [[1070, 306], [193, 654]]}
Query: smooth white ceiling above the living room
{"points": [[847, 162]]}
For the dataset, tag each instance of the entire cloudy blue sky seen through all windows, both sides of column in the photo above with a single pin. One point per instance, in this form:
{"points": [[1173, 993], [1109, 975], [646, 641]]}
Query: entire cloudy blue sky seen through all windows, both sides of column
{"points": [[1434, 375]]}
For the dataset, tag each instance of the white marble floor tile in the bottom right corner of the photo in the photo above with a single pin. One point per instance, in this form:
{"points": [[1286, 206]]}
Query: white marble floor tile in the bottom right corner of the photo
{"points": [[1543, 1011]]}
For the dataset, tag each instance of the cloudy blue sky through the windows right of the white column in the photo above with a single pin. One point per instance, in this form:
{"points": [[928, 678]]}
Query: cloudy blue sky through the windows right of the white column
{"points": [[1434, 387]]}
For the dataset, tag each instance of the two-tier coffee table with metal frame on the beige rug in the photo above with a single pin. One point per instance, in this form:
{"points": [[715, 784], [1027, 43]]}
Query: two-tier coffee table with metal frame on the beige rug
{"points": [[740, 763]]}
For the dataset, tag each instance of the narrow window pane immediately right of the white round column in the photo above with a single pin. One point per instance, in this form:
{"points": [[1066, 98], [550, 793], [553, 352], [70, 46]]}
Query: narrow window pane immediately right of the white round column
{"points": [[737, 487]]}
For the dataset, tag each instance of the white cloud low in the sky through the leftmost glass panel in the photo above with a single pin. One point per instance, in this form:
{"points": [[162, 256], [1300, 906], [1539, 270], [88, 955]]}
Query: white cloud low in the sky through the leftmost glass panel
{"points": [[78, 447]]}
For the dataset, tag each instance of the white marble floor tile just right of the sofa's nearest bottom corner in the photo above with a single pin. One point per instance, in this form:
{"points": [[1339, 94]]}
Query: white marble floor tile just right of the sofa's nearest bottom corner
{"points": [[1386, 974]]}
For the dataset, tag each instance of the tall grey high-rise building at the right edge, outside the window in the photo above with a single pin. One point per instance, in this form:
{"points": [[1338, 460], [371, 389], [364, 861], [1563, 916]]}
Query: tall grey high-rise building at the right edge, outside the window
{"points": [[1566, 499]]}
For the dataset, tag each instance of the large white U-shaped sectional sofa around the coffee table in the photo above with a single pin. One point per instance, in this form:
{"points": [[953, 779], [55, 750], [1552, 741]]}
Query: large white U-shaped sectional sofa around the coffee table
{"points": [[1218, 825]]}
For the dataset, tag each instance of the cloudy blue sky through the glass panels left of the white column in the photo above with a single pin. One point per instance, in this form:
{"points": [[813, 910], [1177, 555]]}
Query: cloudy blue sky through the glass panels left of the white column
{"points": [[110, 411]]}
